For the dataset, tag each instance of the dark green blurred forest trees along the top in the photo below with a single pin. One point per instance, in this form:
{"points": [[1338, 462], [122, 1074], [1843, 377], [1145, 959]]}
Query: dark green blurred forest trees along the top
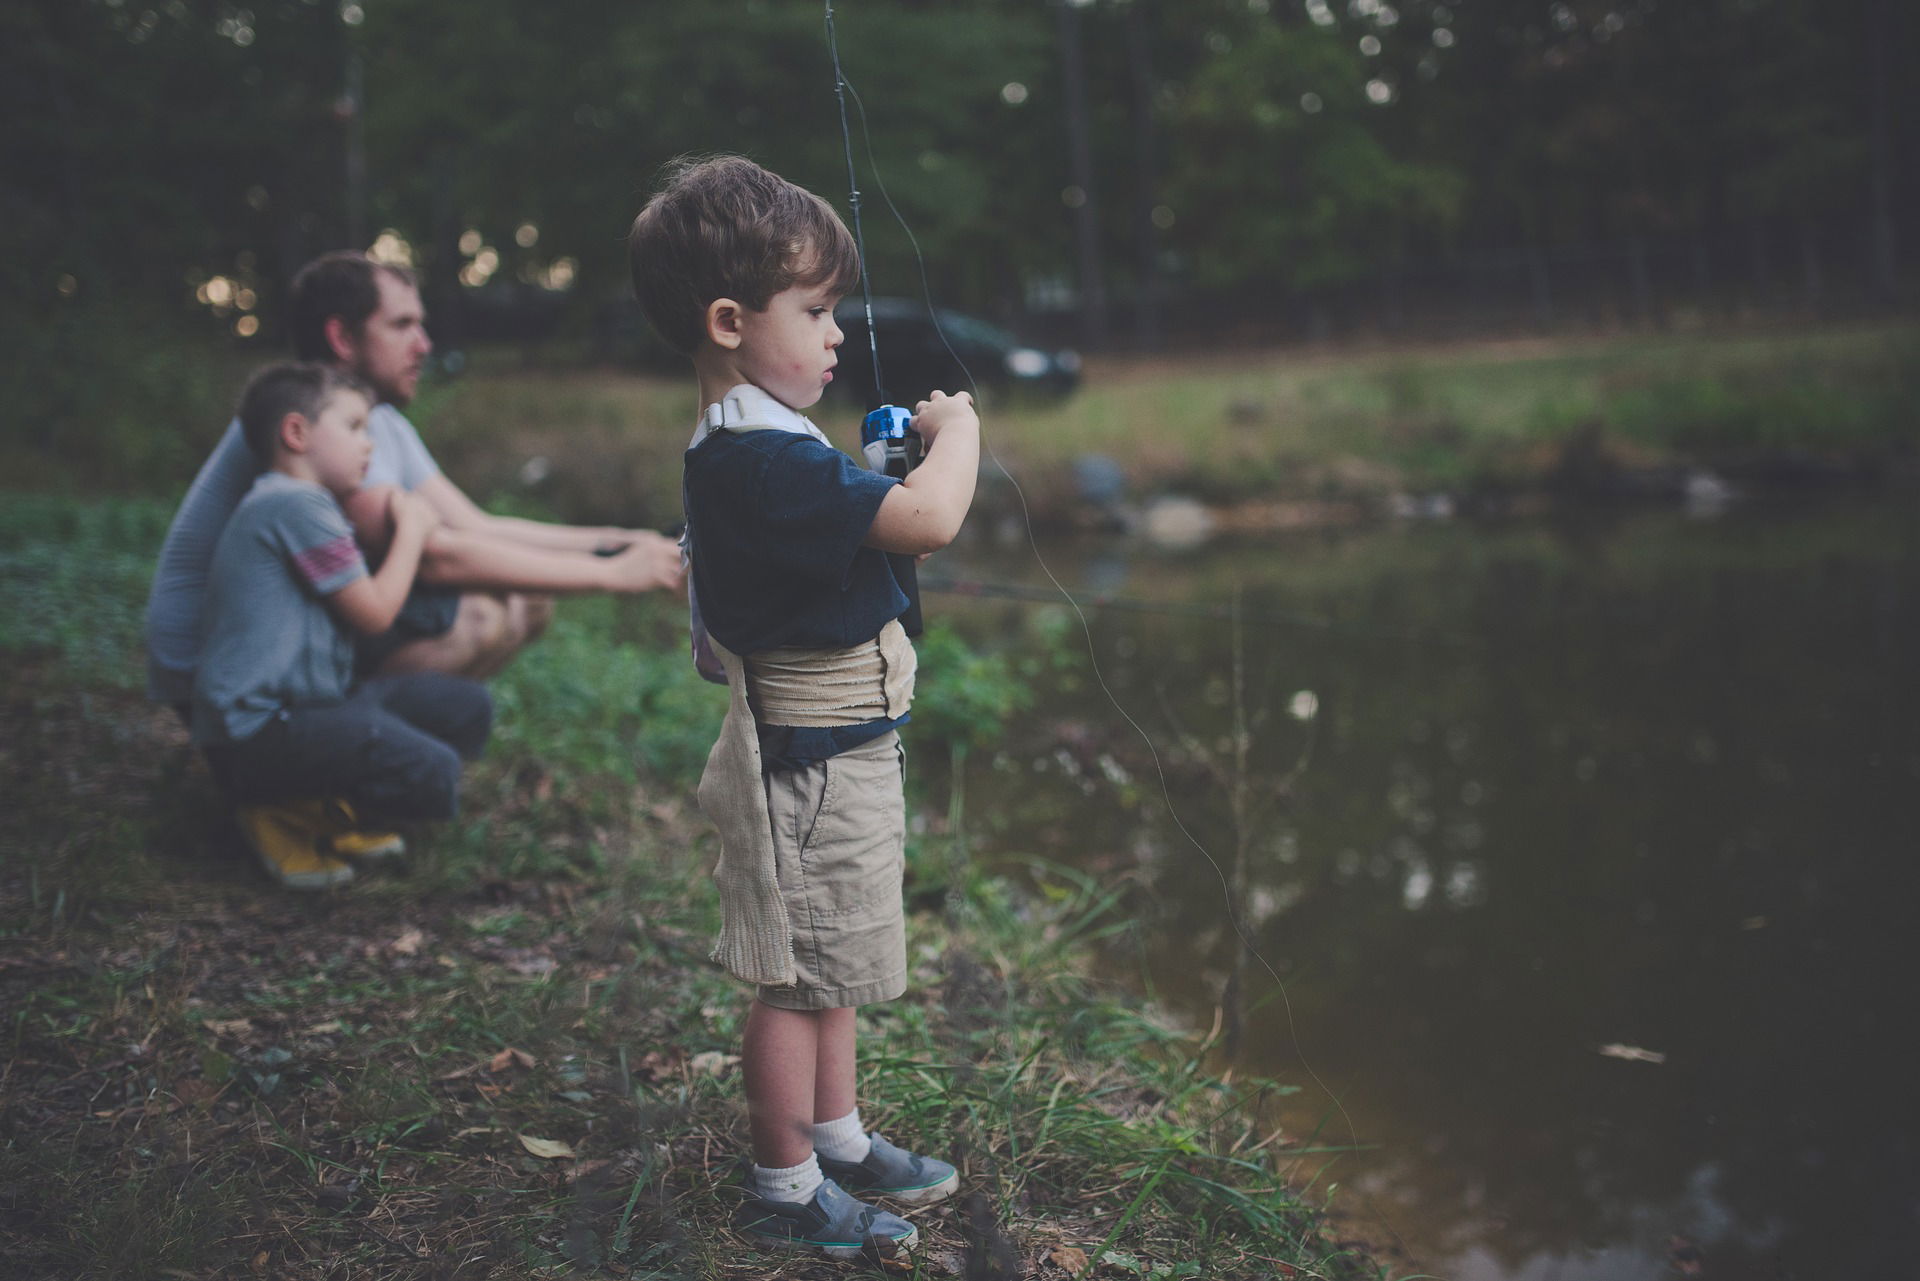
{"points": [[1118, 174]]}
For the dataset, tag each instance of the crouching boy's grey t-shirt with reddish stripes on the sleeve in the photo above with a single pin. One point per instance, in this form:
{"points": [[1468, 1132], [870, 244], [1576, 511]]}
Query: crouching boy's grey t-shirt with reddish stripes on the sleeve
{"points": [[268, 639]]}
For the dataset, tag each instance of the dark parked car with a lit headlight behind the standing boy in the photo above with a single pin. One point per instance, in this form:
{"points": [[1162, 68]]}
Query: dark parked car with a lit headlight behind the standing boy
{"points": [[915, 354]]}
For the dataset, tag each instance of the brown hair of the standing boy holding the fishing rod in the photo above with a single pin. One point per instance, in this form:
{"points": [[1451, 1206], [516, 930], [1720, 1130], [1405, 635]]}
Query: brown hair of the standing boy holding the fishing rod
{"points": [[725, 228]]}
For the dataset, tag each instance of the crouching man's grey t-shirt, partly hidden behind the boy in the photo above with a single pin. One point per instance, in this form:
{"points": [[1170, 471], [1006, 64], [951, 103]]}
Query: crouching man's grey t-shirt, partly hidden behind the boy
{"points": [[181, 577]]}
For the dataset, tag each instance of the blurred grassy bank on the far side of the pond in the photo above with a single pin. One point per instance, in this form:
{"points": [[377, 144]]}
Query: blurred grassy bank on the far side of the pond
{"points": [[1293, 425]]}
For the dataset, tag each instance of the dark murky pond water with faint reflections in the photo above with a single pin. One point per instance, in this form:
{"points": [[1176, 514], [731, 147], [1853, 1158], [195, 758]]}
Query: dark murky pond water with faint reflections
{"points": [[1593, 882]]}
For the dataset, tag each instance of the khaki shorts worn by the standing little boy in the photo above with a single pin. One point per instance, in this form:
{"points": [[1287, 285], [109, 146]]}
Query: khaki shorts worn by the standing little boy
{"points": [[840, 840]]}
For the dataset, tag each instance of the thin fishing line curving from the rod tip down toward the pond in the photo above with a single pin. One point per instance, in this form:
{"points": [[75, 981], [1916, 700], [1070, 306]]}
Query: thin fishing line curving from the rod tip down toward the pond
{"points": [[1166, 790]]}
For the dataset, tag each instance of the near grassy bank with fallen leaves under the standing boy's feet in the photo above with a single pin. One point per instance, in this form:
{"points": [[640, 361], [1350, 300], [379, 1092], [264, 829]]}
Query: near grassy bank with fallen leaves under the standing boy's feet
{"points": [[514, 1059]]}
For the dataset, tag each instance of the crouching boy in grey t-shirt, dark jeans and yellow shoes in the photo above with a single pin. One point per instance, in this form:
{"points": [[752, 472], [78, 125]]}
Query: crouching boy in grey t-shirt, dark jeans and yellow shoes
{"points": [[276, 708]]}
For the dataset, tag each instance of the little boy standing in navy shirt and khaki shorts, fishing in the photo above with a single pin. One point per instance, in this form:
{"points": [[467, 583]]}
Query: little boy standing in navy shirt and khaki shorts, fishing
{"points": [[740, 270]]}
